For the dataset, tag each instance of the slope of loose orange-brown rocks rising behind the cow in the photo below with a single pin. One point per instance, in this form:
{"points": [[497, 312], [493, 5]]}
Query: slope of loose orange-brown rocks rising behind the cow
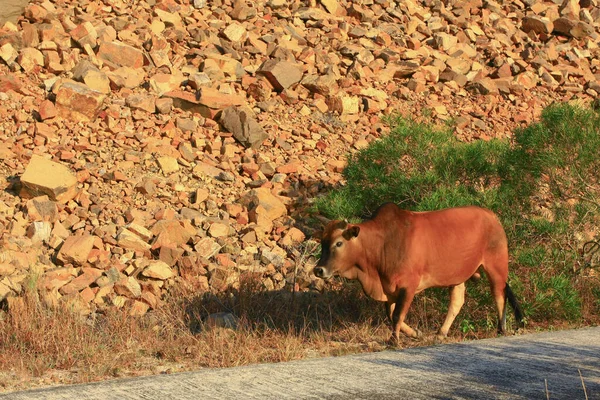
{"points": [[160, 142]]}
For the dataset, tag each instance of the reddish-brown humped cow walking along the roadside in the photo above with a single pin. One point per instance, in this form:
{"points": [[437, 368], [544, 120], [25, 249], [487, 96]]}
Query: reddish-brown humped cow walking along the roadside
{"points": [[399, 253]]}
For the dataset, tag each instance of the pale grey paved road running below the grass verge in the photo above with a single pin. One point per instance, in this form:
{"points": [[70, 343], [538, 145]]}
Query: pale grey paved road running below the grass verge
{"points": [[515, 367]]}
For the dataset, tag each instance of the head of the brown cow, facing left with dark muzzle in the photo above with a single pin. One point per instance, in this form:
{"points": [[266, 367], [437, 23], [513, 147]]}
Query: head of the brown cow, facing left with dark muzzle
{"points": [[339, 250]]}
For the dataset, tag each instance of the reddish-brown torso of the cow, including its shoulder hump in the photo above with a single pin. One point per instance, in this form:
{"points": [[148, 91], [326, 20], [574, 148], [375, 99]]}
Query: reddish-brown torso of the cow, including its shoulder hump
{"points": [[439, 246]]}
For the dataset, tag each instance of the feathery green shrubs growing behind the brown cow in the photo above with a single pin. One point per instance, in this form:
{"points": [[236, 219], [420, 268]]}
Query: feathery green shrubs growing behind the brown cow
{"points": [[544, 185]]}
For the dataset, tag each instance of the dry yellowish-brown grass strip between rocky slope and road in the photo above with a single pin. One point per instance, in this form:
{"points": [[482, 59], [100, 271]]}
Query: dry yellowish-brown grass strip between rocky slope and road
{"points": [[44, 346]]}
